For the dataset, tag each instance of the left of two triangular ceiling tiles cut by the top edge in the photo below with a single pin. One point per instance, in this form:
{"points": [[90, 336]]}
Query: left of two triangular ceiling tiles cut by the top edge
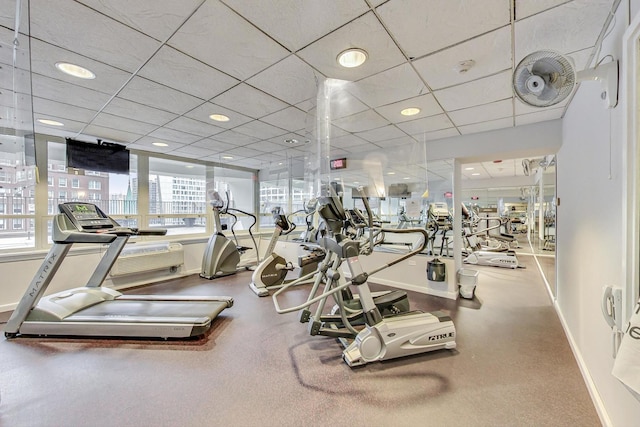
{"points": [[157, 18]]}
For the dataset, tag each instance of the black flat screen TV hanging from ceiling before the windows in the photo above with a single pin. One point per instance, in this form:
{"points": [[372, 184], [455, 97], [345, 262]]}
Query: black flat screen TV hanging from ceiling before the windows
{"points": [[100, 157]]}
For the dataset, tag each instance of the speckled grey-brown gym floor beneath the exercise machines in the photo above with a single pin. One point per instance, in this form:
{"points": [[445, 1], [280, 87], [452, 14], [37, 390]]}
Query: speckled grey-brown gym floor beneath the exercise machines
{"points": [[512, 367]]}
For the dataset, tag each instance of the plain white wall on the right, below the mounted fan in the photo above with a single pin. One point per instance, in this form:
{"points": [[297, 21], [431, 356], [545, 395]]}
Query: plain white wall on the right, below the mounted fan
{"points": [[590, 232]]}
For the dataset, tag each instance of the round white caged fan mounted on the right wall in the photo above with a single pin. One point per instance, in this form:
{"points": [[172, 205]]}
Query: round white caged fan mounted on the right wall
{"points": [[545, 78]]}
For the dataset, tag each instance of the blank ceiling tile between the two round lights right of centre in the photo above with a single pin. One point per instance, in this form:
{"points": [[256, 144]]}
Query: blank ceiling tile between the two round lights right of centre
{"points": [[389, 86]]}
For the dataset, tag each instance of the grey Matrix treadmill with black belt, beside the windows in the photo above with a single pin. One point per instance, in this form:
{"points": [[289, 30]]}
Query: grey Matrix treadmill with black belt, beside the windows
{"points": [[98, 311]]}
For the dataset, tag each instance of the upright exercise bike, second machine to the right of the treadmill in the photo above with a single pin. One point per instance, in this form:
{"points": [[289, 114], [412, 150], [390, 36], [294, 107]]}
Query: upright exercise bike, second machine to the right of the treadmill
{"points": [[271, 273]]}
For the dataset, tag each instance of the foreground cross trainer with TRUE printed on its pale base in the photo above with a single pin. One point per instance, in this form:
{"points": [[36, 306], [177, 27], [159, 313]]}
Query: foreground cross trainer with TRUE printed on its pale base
{"points": [[382, 338]]}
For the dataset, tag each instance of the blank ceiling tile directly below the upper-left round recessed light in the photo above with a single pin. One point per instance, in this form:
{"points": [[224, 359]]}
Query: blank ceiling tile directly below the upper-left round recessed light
{"points": [[57, 90]]}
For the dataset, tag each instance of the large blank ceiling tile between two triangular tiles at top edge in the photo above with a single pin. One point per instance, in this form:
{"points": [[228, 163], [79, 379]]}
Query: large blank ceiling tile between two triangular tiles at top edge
{"points": [[219, 37]]}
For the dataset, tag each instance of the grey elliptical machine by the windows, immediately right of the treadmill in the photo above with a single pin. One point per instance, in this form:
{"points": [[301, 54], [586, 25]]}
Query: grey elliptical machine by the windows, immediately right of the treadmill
{"points": [[222, 255]]}
